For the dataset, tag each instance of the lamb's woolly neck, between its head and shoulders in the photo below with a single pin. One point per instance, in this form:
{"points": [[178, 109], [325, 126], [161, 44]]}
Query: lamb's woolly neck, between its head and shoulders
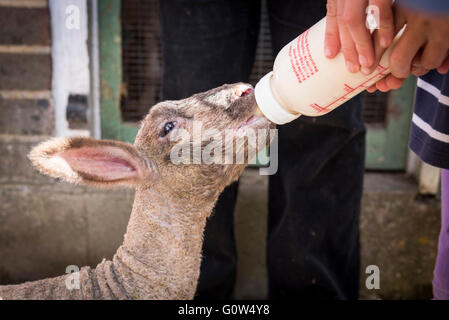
{"points": [[161, 254]]}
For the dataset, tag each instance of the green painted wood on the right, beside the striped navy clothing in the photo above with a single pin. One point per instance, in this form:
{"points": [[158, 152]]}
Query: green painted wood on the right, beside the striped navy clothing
{"points": [[387, 148]]}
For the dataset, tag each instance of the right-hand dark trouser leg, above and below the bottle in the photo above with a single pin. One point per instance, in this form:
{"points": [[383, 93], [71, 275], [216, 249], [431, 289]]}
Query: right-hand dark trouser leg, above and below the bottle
{"points": [[313, 249]]}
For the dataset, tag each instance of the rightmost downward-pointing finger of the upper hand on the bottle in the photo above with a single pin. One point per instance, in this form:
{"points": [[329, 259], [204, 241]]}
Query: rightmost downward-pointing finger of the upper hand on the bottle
{"points": [[386, 22]]}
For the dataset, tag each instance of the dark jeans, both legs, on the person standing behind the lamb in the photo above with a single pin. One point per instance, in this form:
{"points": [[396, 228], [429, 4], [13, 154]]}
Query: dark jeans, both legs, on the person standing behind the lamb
{"points": [[314, 199]]}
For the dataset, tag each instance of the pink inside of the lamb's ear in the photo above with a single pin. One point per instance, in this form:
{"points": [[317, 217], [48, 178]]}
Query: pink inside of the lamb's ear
{"points": [[102, 163]]}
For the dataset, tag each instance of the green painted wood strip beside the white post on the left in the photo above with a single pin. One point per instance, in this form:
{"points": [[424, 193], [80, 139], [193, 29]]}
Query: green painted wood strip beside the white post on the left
{"points": [[110, 50]]}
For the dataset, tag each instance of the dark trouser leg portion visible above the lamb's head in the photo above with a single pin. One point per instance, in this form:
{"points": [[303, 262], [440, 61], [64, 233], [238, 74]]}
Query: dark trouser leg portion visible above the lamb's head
{"points": [[206, 44]]}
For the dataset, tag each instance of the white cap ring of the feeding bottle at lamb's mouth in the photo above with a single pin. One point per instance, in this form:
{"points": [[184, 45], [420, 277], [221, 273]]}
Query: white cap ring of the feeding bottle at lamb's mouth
{"points": [[268, 104]]}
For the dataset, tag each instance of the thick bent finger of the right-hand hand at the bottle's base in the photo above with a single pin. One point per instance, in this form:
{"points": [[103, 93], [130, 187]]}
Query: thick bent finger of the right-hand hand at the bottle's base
{"points": [[403, 53]]}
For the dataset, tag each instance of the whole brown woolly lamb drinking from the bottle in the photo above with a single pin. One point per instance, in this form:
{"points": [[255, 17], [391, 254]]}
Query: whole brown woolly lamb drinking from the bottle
{"points": [[161, 252]]}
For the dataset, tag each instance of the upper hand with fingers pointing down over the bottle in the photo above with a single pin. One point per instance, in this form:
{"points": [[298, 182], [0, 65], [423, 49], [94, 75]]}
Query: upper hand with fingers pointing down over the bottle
{"points": [[346, 31]]}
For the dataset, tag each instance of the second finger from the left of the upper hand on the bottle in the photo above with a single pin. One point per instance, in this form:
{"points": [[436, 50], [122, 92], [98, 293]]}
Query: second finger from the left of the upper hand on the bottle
{"points": [[347, 44]]}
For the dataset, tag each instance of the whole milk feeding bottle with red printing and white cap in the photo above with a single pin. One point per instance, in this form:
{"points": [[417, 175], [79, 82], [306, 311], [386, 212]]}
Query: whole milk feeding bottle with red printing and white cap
{"points": [[305, 82]]}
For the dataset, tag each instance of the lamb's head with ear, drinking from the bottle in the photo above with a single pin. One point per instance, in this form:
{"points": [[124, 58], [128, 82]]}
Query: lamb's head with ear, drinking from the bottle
{"points": [[190, 146]]}
